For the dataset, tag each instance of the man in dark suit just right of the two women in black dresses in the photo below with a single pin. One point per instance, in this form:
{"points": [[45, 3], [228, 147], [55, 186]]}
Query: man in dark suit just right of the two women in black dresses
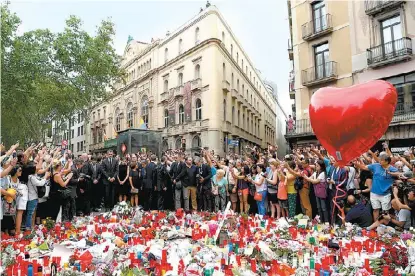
{"points": [[149, 182]]}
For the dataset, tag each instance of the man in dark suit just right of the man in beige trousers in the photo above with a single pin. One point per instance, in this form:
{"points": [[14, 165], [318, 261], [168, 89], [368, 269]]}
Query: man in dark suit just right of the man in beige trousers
{"points": [[204, 187]]}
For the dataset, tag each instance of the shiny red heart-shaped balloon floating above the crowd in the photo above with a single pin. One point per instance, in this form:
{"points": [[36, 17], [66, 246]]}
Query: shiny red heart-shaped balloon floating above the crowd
{"points": [[349, 121]]}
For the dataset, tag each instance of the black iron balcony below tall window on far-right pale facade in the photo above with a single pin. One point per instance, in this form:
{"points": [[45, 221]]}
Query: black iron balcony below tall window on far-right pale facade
{"points": [[390, 52]]}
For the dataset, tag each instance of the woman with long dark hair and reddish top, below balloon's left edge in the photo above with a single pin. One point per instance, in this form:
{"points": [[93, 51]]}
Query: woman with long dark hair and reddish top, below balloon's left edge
{"points": [[319, 181]]}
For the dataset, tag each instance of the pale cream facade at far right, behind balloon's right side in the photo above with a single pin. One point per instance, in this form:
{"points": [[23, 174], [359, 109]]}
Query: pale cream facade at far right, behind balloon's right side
{"points": [[382, 34]]}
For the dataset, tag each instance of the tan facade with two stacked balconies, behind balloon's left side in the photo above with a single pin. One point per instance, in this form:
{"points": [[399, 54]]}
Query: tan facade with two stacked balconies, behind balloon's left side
{"points": [[320, 52]]}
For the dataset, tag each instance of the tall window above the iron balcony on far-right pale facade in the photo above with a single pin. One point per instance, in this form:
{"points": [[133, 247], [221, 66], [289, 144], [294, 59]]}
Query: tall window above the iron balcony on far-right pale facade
{"points": [[391, 33]]}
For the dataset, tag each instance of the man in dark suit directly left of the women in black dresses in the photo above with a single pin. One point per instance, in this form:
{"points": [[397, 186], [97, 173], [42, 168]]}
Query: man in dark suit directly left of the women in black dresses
{"points": [[109, 169]]}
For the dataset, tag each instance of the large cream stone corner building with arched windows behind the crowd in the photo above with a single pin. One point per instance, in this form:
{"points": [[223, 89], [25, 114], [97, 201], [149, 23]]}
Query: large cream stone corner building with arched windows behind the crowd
{"points": [[197, 85]]}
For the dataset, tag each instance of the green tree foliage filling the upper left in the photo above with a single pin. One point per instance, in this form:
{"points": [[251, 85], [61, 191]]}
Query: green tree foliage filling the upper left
{"points": [[48, 76]]}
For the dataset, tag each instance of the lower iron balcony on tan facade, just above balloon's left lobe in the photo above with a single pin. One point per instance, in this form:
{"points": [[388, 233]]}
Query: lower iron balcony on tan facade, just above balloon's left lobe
{"points": [[319, 74]]}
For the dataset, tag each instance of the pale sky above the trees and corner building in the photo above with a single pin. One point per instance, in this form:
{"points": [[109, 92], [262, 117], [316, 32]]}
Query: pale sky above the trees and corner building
{"points": [[261, 26]]}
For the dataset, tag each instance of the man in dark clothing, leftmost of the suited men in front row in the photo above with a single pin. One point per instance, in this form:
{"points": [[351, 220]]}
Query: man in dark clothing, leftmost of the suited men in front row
{"points": [[83, 202]]}
